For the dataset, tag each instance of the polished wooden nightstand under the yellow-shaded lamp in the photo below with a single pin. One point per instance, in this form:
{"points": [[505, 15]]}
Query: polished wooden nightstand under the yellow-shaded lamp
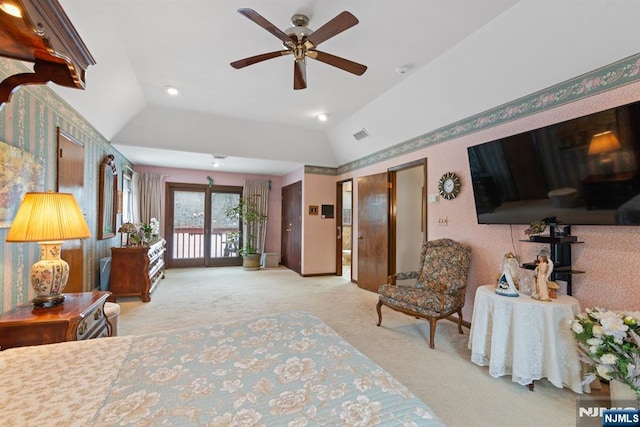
{"points": [[80, 317]]}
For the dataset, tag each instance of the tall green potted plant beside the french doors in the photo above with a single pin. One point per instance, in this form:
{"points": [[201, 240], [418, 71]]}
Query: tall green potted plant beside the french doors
{"points": [[248, 212]]}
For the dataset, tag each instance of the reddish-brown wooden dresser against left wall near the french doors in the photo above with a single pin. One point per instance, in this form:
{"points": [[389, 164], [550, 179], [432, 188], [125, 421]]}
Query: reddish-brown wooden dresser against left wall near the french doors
{"points": [[136, 271]]}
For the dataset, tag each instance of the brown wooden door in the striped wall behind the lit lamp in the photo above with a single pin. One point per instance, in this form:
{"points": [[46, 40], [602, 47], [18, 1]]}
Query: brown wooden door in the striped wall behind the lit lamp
{"points": [[71, 180]]}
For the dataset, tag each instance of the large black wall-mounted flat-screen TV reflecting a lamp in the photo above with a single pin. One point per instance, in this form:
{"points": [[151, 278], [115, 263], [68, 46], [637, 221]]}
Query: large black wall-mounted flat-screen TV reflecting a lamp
{"points": [[582, 172]]}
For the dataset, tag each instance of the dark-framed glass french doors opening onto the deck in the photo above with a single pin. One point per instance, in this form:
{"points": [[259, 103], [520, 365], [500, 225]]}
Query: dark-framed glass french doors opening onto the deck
{"points": [[198, 233]]}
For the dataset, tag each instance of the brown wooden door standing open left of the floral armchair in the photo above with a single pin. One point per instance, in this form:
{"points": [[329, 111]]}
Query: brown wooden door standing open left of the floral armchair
{"points": [[373, 231]]}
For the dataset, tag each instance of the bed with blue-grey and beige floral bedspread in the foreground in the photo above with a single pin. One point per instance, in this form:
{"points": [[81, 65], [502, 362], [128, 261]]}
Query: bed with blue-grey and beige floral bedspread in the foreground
{"points": [[282, 369]]}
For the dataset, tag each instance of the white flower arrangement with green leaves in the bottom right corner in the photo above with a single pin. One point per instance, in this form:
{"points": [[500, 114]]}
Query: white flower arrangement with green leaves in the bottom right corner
{"points": [[609, 342]]}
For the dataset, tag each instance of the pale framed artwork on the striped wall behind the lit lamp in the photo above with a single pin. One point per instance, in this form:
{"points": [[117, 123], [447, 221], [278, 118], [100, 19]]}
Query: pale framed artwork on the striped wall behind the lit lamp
{"points": [[21, 172]]}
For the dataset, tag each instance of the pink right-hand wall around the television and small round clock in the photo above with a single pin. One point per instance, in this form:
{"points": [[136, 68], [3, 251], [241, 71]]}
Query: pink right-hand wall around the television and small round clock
{"points": [[609, 255]]}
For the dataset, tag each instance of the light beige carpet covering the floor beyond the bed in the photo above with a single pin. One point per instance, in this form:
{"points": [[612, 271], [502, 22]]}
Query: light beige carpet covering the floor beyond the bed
{"points": [[460, 392]]}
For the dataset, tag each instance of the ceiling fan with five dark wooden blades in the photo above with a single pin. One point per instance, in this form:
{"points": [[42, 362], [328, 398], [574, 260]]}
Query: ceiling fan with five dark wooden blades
{"points": [[301, 42]]}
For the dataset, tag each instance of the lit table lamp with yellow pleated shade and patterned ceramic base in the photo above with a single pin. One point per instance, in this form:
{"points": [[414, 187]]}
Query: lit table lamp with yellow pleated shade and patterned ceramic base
{"points": [[48, 218]]}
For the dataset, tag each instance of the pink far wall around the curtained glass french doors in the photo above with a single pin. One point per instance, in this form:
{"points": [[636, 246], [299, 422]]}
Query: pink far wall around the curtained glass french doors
{"points": [[221, 178]]}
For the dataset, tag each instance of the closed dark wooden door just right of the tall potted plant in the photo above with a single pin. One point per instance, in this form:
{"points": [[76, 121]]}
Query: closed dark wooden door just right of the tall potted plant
{"points": [[291, 240]]}
